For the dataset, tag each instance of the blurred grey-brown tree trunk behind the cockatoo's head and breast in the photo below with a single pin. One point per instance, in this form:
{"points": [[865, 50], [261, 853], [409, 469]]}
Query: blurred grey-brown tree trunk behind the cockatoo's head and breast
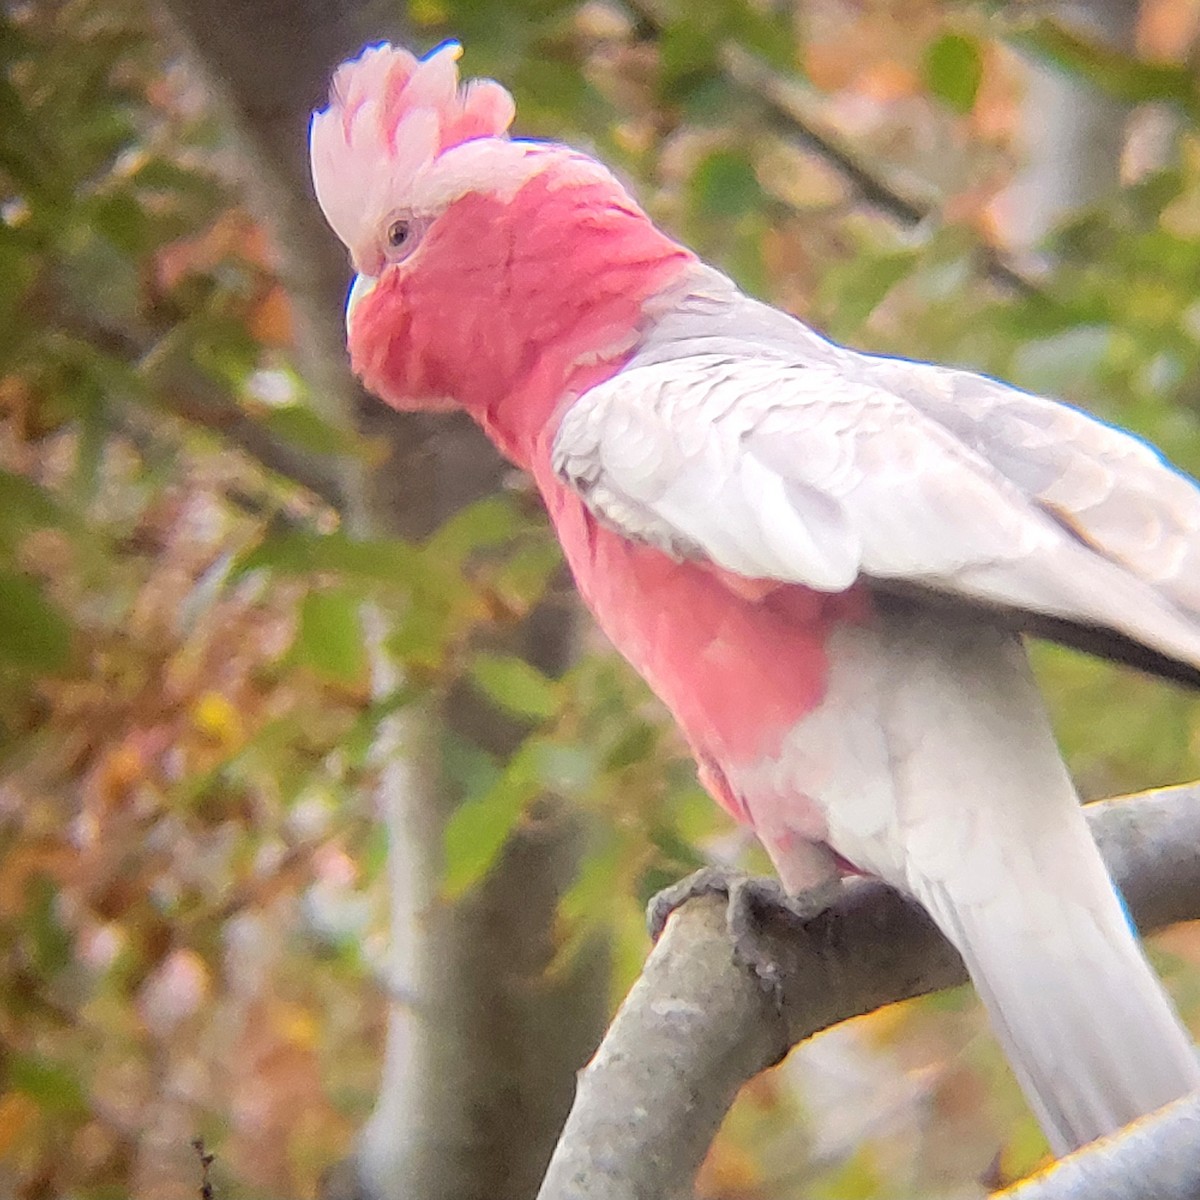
{"points": [[482, 1049]]}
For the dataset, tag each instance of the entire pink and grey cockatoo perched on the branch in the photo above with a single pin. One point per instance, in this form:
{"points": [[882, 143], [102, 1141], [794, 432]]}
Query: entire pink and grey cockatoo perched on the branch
{"points": [[821, 561]]}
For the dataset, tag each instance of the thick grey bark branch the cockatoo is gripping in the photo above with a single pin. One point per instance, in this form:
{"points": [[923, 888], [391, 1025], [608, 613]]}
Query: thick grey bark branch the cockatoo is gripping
{"points": [[697, 1027]]}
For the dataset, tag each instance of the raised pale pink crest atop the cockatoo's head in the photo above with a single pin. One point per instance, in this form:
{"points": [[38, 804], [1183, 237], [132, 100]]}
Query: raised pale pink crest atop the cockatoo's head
{"points": [[389, 116]]}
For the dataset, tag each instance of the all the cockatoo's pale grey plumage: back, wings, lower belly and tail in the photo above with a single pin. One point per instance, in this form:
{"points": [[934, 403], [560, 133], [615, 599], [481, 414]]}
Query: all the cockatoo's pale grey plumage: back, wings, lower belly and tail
{"points": [[736, 435]]}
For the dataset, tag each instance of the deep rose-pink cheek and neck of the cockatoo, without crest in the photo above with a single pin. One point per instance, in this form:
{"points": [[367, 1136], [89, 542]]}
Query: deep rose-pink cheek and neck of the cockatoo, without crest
{"points": [[561, 277]]}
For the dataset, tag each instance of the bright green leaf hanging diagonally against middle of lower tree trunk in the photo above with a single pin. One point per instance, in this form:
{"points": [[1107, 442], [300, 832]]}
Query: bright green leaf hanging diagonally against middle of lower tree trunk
{"points": [[482, 825]]}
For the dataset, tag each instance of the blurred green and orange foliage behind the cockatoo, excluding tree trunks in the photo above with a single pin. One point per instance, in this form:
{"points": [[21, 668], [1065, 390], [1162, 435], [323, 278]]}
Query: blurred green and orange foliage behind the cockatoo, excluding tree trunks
{"points": [[191, 878]]}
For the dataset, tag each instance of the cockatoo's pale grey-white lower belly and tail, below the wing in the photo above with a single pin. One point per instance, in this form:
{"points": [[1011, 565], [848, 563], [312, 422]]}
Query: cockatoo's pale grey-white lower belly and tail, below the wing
{"points": [[934, 767]]}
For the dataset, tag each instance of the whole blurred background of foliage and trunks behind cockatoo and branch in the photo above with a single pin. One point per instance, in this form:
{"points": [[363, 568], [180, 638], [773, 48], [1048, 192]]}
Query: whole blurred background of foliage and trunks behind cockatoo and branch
{"points": [[326, 824]]}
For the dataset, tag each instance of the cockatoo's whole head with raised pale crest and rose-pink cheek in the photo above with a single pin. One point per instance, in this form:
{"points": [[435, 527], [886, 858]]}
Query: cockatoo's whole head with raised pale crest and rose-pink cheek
{"points": [[488, 267]]}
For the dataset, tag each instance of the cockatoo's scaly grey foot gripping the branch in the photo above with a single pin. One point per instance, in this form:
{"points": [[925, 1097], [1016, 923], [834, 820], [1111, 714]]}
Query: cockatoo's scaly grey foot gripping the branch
{"points": [[753, 901]]}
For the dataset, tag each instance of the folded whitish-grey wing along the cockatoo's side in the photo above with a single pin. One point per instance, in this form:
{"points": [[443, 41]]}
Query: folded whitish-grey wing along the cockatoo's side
{"points": [[821, 475]]}
